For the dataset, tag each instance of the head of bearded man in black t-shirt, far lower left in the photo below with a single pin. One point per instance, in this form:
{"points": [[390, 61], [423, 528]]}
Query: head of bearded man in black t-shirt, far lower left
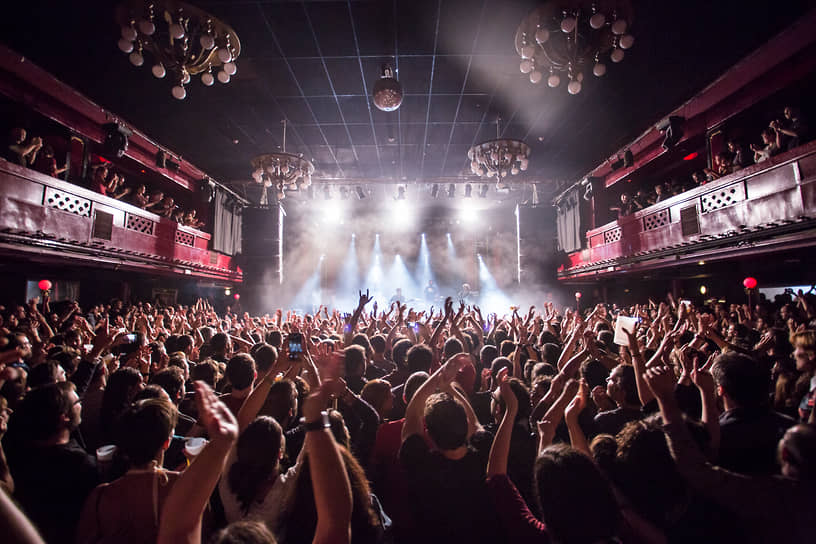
{"points": [[49, 410]]}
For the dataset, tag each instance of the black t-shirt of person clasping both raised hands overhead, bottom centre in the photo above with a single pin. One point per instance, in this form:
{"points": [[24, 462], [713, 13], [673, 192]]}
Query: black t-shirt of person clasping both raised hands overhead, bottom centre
{"points": [[450, 496]]}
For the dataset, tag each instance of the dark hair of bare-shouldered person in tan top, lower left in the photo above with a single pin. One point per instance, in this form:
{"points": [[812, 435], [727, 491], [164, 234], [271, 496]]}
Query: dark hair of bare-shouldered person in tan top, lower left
{"points": [[144, 428]]}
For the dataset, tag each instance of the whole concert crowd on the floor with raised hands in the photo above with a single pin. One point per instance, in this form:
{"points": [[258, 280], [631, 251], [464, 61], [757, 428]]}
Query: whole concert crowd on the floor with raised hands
{"points": [[660, 422]]}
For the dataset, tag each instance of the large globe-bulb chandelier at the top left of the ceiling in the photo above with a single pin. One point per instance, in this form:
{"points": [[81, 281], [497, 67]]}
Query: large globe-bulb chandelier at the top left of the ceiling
{"points": [[183, 40]]}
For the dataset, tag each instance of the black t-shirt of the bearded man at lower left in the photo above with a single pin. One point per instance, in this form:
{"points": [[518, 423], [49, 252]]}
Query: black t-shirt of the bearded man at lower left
{"points": [[51, 483]]}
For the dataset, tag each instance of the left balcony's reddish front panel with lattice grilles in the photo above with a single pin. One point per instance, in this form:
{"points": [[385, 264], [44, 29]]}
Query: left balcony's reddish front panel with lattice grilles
{"points": [[48, 219]]}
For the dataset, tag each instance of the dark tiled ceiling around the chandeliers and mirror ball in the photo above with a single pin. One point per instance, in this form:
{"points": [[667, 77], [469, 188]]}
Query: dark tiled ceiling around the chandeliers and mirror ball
{"points": [[314, 63]]}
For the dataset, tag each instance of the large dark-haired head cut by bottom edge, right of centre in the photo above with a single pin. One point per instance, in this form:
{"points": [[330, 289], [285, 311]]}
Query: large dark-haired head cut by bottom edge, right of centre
{"points": [[577, 502]]}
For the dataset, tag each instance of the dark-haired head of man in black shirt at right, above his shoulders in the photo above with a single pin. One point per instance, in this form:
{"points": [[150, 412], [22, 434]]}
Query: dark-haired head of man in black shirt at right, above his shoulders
{"points": [[741, 380]]}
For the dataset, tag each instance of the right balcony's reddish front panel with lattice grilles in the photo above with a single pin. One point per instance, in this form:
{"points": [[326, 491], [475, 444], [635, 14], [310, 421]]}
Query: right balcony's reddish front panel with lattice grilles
{"points": [[759, 210]]}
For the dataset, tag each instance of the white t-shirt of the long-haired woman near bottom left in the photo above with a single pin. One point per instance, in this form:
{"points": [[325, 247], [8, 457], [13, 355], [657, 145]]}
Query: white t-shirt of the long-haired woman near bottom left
{"points": [[270, 508]]}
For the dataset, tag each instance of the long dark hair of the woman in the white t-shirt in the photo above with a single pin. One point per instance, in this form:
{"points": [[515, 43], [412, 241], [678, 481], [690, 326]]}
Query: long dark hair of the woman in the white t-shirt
{"points": [[257, 453]]}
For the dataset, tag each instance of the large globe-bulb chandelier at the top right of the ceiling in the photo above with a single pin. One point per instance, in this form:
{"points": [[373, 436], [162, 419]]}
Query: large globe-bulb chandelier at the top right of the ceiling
{"points": [[568, 36]]}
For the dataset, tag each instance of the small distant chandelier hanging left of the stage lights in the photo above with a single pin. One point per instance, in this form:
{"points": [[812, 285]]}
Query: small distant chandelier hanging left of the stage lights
{"points": [[285, 171]]}
